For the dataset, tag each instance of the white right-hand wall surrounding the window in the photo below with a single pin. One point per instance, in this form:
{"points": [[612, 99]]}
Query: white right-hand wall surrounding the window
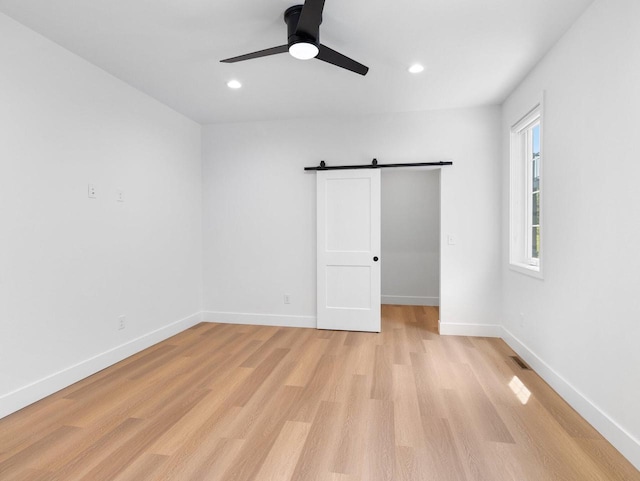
{"points": [[582, 322]]}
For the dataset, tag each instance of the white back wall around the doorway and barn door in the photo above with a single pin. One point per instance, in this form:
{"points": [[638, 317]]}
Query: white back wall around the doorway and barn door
{"points": [[259, 209]]}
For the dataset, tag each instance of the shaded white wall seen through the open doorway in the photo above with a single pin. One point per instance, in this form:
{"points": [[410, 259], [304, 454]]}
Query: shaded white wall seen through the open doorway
{"points": [[410, 228]]}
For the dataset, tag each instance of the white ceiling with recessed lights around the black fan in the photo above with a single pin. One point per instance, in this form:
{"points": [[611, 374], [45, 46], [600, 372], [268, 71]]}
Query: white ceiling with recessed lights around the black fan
{"points": [[475, 51]]}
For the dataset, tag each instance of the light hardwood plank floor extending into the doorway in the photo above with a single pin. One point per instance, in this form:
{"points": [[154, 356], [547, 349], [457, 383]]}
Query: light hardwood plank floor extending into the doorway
{"points": [[233, 402]]}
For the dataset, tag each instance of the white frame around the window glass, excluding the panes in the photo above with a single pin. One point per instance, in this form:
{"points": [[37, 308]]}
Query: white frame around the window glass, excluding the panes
{"points": [[521, 193]]}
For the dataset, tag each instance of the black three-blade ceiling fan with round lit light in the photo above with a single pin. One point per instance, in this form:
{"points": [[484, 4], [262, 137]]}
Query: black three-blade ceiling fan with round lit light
{"points": [[303, 29]]}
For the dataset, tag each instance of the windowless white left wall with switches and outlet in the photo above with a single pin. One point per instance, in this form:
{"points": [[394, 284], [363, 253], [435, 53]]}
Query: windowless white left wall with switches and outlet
{"points": [[70, 265]]}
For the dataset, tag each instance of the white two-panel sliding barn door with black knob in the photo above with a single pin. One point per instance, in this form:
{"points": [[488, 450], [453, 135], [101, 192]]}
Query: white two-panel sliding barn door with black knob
{"points": [[349, 249]]}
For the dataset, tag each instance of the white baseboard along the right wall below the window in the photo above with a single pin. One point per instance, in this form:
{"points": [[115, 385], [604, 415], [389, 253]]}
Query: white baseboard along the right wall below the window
{"points": [[622, 440]]}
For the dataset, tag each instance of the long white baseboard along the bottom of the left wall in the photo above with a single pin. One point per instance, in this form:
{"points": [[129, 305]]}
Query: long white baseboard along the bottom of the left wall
{"points": [[22, 397]]}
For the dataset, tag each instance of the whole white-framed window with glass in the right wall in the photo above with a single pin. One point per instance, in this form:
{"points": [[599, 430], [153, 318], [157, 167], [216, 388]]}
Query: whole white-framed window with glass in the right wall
{"points": [[525, 194]]}
